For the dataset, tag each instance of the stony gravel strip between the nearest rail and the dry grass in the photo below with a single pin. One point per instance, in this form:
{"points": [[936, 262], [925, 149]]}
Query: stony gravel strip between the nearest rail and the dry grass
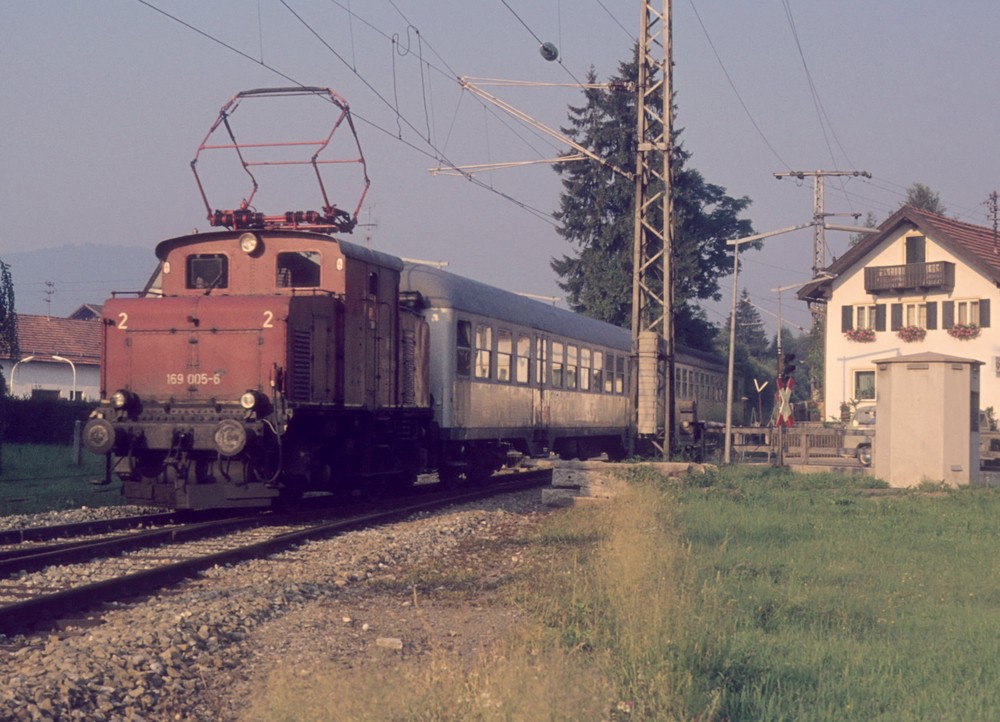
{"points": [[201, 651]]}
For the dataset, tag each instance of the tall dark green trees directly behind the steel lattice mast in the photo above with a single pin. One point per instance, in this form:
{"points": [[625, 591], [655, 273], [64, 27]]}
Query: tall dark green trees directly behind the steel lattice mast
{"points": [[596, 216]]}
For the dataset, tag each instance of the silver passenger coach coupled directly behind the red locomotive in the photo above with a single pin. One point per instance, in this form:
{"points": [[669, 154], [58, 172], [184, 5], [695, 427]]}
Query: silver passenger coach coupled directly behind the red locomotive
{"points": [[506, 368]]}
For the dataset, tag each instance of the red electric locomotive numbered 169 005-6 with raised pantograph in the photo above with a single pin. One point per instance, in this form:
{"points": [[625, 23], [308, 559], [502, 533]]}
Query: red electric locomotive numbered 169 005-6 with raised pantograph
{"points": [[265, 359]]}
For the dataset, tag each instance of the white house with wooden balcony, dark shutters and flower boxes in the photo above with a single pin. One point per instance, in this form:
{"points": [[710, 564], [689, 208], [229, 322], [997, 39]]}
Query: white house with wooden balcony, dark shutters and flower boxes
{"points": [[922, 283]]}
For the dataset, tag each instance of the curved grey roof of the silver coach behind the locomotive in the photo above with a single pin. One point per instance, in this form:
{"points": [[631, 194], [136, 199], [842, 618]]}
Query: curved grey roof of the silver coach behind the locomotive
{"points": [[446, 290]]}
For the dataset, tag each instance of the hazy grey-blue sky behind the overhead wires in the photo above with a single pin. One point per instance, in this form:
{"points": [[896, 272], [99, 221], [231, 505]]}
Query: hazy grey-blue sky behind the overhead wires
{"points": [[104, 103]]}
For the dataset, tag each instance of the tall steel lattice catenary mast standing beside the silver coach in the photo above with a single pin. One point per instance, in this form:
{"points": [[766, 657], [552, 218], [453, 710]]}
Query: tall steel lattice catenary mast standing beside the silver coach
{"points": [[652, 280]]}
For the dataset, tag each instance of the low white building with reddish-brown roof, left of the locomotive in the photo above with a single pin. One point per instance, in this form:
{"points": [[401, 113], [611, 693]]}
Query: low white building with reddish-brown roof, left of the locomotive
{"points": [[60, 357]]}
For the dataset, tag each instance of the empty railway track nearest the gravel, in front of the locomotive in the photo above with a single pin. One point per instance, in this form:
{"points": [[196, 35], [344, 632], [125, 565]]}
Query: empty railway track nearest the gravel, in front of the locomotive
{"points": [[139, 563]]}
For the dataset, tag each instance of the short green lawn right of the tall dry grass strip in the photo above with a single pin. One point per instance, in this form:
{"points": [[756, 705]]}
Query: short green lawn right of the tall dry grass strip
{"points": [[842, 604]]}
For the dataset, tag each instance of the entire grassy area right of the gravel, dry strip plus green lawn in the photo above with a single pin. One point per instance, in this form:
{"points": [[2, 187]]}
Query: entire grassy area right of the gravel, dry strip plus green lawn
{"points": [[743, 595]]}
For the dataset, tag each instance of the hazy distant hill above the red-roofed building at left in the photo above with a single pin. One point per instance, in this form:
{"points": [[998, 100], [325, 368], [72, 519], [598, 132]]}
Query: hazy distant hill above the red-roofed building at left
{"points": [[79, 274]]}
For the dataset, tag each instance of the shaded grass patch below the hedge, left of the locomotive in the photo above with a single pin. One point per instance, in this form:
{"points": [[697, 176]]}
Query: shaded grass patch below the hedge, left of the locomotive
{"points": [[40, 477]]}
